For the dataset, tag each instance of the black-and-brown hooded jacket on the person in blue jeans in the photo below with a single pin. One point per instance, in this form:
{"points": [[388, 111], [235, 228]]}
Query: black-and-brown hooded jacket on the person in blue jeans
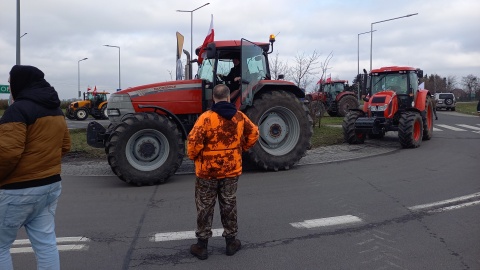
{"points": [[33, 132]]}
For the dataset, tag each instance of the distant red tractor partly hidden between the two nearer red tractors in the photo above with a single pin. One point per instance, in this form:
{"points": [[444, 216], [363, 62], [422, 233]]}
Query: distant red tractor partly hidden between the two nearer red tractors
{"points": [[332, 97]]}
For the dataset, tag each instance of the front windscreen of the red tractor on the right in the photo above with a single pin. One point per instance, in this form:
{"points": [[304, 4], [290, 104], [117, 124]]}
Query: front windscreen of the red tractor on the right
{"points": [[396, 82]]}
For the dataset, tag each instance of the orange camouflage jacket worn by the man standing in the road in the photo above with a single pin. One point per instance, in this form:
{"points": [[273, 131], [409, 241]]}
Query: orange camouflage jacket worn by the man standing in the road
{"points": [[216, 144]]}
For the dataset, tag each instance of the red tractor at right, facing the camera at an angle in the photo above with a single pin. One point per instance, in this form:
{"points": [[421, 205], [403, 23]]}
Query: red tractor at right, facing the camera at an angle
{"points": [[393, 103]]}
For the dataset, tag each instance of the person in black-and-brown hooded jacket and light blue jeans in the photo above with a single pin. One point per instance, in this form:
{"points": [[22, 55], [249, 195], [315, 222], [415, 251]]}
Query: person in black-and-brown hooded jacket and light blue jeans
{"points": [[34, 137]]}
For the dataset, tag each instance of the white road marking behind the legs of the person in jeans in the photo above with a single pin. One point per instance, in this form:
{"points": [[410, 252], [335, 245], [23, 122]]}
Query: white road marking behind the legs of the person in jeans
{"points": [[60, 245]]}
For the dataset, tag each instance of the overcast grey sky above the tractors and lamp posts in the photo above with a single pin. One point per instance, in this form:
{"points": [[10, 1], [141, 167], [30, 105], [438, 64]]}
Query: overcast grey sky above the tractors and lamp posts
{"points": [[444, 37]]}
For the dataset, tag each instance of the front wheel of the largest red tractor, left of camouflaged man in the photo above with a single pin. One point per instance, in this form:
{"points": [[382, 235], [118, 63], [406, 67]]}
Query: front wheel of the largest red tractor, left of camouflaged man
{"points": [[145, 149]]}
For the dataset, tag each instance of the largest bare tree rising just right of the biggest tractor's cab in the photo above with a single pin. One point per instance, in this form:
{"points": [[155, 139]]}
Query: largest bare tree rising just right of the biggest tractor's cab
{"points": [[304, 69]]}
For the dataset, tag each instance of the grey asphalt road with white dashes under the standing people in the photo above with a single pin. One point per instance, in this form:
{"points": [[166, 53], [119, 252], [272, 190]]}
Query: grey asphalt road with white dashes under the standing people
{"points": [[408, 209]]}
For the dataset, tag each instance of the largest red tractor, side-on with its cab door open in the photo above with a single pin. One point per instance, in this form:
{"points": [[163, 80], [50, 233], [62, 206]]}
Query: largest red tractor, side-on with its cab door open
{"points": [[145, 142]]}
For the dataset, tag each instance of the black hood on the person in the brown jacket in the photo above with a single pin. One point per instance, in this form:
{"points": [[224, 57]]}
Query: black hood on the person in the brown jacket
{"points": [[27, 82]]}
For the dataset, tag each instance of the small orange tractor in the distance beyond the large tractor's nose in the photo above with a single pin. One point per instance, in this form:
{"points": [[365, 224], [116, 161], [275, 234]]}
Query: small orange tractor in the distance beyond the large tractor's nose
{"points": [[93, 103]]}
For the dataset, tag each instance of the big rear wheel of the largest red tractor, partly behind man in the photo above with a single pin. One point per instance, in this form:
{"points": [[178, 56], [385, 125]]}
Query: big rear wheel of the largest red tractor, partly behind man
{"points": [[285, 130]]}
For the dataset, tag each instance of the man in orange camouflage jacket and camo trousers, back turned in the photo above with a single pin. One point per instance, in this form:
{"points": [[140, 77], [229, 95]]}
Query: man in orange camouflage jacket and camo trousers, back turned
{"points": [[215, 144]]}
